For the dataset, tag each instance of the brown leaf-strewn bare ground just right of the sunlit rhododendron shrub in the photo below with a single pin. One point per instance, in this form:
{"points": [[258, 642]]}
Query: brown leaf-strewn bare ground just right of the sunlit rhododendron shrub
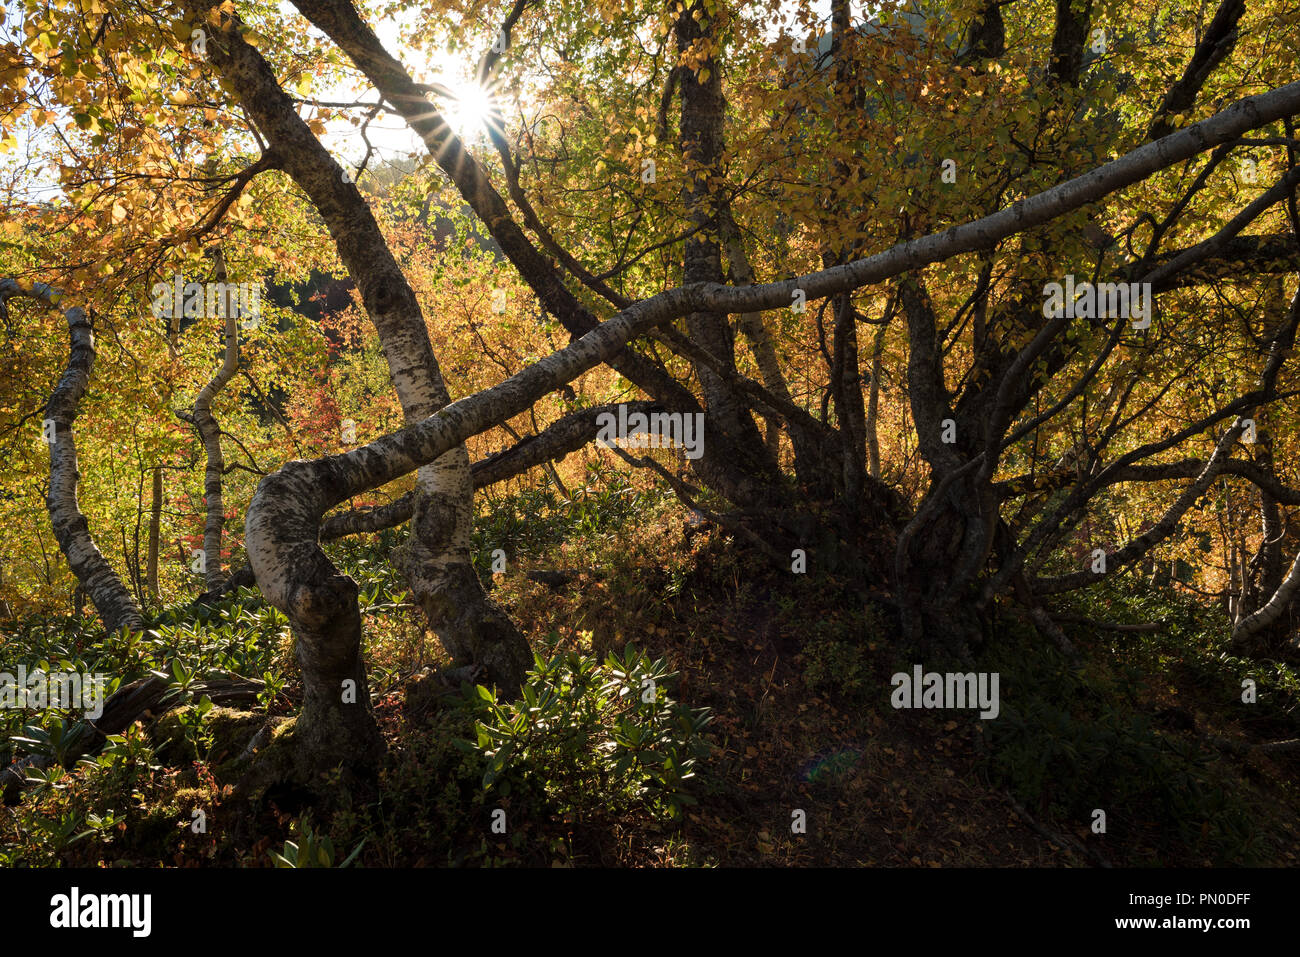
{"points": [[878, 787]]}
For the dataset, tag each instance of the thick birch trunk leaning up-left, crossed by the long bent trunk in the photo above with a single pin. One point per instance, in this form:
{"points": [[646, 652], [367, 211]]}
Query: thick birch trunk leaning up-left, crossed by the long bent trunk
{"points": [[437, 558]]}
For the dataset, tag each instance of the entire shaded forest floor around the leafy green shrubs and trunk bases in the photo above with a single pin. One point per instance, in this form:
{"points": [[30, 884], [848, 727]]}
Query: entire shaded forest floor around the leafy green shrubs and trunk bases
{"points": [[796, 674]]}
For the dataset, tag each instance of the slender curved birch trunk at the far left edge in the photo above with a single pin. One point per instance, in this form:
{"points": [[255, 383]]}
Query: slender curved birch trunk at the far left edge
{"points": [[114, 603]]}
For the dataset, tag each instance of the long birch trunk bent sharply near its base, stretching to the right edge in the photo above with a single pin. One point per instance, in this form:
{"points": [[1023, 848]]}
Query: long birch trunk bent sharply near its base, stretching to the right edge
{"points": [[284, 521]]}
